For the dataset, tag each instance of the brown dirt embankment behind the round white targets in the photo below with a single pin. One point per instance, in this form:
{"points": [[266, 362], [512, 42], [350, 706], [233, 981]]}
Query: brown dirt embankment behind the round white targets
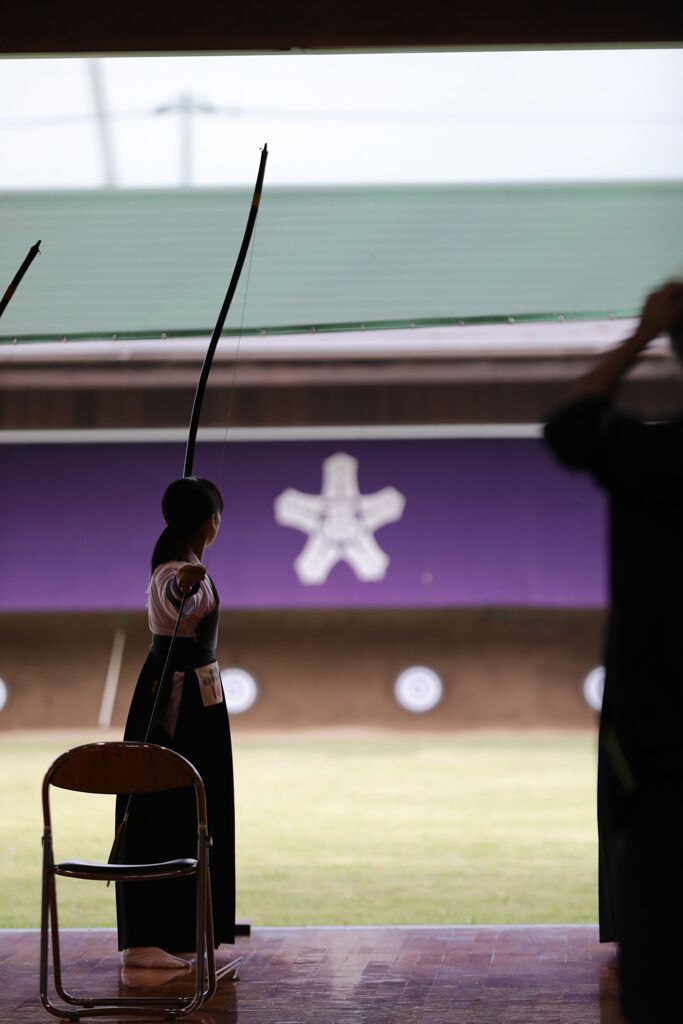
{"points": [[500, 668]]}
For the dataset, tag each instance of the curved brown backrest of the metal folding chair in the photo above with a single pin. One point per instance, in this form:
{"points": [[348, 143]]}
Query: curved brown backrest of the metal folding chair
{"points": [[122, 769]]}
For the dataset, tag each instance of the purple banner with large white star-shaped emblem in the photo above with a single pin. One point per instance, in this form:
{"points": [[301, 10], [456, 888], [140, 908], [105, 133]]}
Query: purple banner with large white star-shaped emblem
{"points": [[308, 524]]}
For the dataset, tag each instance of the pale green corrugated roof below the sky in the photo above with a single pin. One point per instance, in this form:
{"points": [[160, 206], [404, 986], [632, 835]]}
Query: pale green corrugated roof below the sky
{"points": [[153, 262]]}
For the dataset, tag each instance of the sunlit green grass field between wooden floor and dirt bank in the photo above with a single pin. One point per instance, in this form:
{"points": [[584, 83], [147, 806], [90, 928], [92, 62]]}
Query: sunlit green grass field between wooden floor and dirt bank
{"points": [[462, 829]]}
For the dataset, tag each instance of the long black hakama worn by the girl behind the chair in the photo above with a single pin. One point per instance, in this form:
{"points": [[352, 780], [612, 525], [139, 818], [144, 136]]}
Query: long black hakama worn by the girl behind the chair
{"points": [[164, 826]]}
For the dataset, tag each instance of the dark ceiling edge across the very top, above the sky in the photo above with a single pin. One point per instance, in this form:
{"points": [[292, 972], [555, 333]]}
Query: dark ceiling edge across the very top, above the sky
{"points": [[155, 27]]}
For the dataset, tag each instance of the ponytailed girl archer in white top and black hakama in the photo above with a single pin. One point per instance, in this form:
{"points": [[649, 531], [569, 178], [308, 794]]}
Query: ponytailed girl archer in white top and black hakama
{"points": [[157, 926]]}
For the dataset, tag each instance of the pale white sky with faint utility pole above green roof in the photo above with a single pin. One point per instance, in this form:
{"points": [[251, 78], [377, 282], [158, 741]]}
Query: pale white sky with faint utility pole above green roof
{"points": [[458, 117]]}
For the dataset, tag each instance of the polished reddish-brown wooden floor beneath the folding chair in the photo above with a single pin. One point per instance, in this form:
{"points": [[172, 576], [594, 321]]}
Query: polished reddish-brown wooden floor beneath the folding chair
{"points": [[489, 975]]}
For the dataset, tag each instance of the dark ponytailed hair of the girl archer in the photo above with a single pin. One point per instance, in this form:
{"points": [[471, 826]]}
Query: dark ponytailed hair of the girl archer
{"points": [[186, 505]]}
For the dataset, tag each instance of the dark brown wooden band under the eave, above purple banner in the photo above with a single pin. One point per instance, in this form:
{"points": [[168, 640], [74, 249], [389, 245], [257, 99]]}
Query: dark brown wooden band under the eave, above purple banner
{"points": [[493, 401]]}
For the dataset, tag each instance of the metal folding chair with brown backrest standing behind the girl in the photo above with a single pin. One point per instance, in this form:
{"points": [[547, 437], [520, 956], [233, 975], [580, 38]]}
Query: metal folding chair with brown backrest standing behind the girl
{"points": [[125, 769]]}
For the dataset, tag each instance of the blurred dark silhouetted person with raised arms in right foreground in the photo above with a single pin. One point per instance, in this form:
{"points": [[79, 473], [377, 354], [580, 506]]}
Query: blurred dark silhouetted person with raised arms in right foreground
{"points": [[641, 761]]}
